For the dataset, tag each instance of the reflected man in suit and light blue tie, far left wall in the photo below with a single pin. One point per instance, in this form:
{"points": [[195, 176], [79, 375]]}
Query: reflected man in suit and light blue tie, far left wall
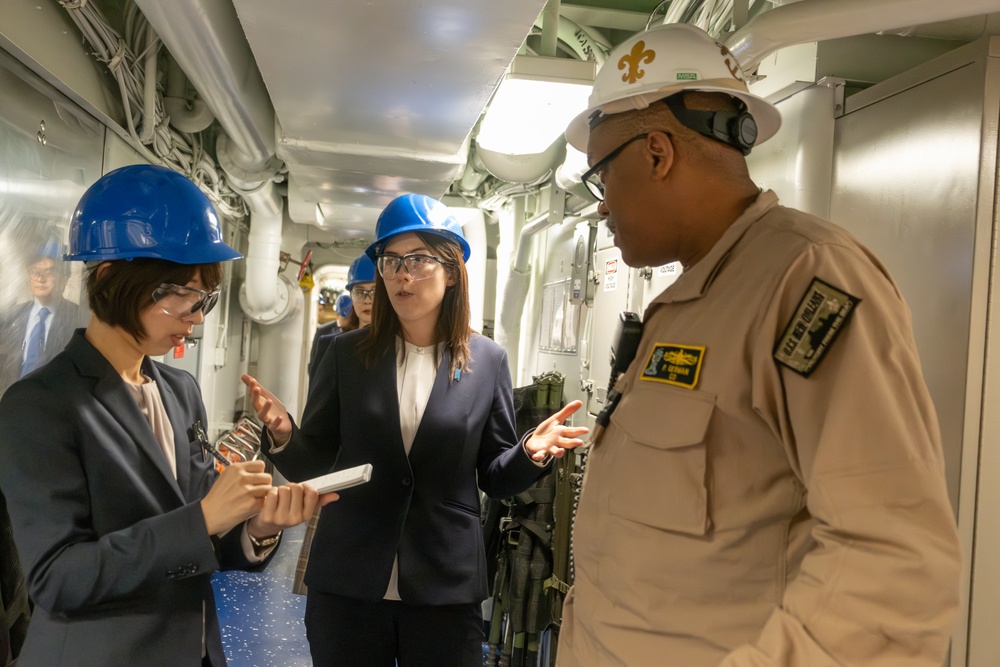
{"points": [[33, 332]]}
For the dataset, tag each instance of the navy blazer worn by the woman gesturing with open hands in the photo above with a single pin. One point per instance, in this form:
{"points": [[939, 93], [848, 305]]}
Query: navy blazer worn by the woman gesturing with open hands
{"points": [[424, 507]]}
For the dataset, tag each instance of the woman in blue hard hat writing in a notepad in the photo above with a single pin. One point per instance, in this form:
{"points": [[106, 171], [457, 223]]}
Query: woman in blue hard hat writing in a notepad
{"points": [[119, 515]]}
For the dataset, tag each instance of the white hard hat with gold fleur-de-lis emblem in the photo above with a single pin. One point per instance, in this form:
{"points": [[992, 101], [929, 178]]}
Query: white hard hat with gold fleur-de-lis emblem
{"points": [[659, 62]]}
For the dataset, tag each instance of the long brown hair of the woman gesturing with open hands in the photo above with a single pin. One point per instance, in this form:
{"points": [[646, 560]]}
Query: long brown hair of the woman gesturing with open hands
{"points": [[453, 325]]}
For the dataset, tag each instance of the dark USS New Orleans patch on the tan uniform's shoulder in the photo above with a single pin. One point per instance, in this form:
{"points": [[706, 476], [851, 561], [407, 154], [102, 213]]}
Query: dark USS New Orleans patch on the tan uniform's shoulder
{"points": [[819, 317]]}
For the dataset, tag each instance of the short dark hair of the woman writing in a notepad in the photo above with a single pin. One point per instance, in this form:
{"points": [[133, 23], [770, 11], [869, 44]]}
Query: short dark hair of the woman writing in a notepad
{"points": [[121, 289]]}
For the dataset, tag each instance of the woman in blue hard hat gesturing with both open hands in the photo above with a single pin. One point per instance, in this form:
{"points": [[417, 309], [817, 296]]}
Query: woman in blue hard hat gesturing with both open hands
{"points": [[397, 570]]}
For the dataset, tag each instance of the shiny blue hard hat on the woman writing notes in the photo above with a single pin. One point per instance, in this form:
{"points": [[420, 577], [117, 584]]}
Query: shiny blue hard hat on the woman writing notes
{"points": [[146, 211]]}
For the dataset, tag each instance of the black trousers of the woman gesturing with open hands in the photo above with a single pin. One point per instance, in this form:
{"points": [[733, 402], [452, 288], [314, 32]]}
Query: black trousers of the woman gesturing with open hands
{"points": [[344, 632]]}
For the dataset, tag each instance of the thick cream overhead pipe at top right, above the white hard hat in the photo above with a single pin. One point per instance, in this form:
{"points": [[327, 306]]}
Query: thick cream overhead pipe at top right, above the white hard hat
{"points": [[818, 20]]}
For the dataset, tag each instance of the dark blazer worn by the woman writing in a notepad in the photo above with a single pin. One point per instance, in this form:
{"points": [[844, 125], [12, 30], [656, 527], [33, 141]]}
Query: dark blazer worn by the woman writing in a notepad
{"points": [[115, 550]]}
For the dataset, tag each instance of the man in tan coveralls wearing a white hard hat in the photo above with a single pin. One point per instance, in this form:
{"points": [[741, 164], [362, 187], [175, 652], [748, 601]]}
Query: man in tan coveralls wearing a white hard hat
{"points": [[770, 490]]}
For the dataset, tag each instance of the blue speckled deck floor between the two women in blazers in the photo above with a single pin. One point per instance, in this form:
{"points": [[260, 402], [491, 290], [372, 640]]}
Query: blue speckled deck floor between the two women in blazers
{"points": [[261, 618]]}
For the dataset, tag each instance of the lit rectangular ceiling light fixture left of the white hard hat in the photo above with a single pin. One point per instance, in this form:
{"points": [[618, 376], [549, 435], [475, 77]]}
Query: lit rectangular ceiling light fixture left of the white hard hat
{"points": [[534, 104]]}
